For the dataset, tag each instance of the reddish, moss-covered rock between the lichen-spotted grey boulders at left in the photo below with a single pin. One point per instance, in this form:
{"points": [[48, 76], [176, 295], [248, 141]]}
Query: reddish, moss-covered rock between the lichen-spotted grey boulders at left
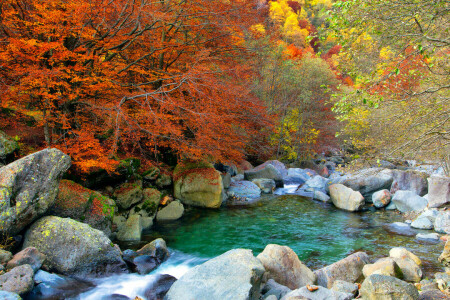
{"points": [[79, 203]]}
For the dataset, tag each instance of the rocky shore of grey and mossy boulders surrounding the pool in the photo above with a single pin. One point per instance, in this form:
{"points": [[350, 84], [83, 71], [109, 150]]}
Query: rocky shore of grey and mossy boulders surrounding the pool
{"points": [[62, 234]]}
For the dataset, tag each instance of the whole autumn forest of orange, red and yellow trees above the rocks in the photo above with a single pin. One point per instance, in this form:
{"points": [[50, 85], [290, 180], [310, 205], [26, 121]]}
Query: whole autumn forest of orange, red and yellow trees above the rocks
{"points": [[225, 80]]}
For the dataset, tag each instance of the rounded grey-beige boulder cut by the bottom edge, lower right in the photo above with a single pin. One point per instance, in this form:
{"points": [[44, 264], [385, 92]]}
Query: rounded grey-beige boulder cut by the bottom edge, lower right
{"points": [[380, 287]]}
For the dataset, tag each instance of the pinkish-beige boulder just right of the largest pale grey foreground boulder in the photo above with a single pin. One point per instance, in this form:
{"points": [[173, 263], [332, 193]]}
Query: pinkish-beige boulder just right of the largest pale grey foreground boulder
{"points": [[284, 267]]}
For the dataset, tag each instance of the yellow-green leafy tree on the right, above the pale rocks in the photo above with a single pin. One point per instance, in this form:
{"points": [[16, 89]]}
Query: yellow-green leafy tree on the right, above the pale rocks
{"points": [[397, 52]]}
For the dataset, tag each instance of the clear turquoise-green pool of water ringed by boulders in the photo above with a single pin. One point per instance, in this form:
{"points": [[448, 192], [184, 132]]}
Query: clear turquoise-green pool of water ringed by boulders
{"points": [[319, 233]]}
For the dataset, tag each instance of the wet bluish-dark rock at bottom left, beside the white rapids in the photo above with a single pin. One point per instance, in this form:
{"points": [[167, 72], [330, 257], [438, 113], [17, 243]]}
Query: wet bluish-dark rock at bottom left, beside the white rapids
{"points": [[53, 286]]}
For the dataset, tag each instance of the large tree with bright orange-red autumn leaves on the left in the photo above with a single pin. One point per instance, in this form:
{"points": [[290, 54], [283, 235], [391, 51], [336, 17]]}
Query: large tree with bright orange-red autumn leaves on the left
{"points": [[132, 77]]}
